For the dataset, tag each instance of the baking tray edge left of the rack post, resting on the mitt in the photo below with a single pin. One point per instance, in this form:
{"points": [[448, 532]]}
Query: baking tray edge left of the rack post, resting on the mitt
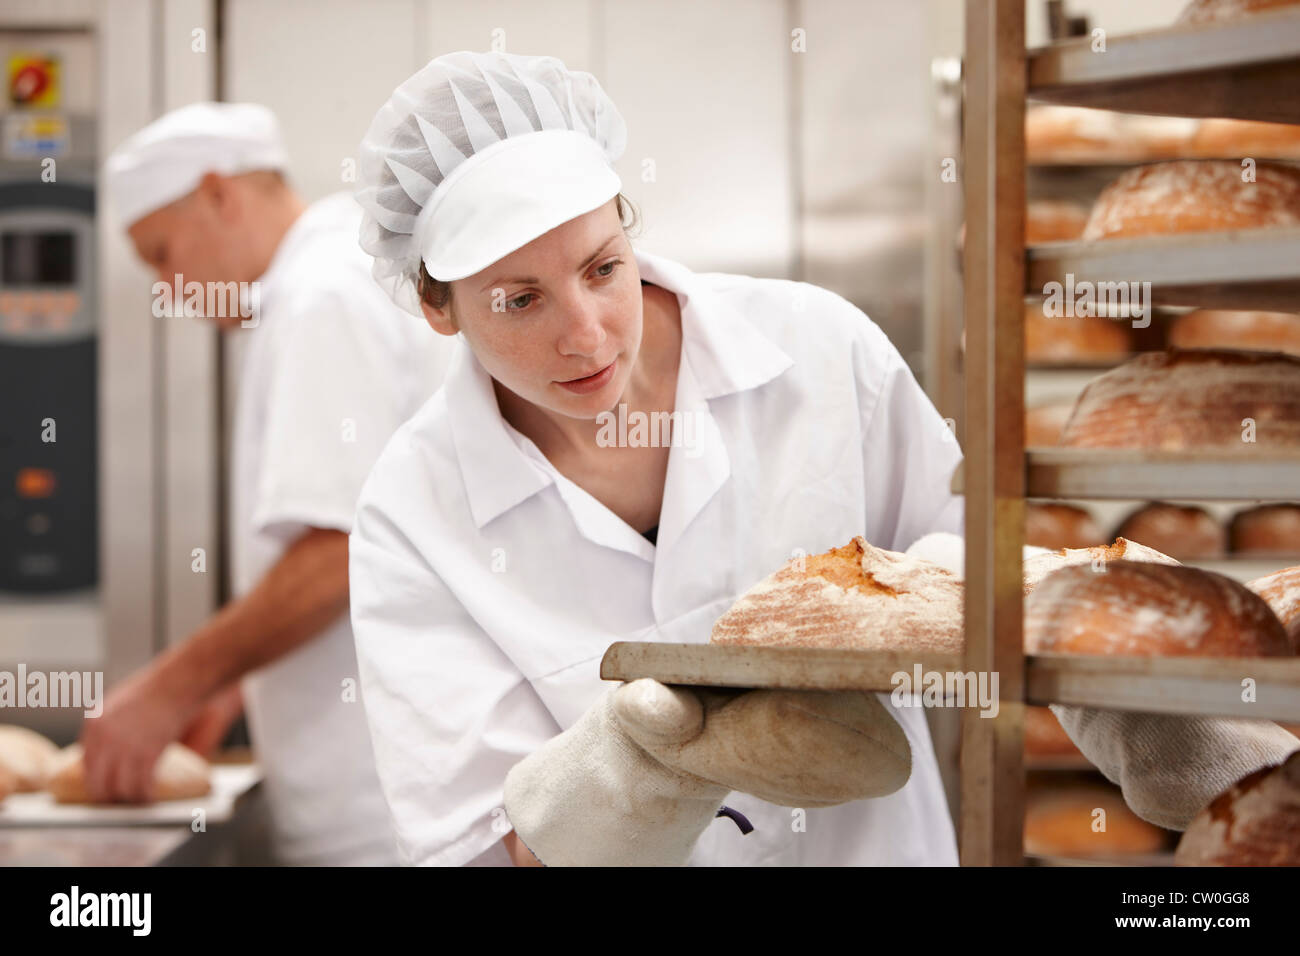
{"points": [[798, 669]]}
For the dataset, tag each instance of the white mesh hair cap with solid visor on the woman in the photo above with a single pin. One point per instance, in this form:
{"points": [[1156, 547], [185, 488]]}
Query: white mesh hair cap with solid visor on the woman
{"points": [[478, 155]]}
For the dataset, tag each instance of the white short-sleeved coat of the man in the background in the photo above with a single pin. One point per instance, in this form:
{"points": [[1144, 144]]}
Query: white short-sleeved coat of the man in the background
{"points": [[328, 374]]}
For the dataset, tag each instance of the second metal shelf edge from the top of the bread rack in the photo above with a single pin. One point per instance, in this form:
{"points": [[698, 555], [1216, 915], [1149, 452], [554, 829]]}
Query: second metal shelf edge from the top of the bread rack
{"points": [[1256, 269]]}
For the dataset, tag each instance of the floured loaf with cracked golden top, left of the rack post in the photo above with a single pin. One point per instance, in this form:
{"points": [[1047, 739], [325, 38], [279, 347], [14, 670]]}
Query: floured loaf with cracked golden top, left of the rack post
{"points": [[856, 596]]}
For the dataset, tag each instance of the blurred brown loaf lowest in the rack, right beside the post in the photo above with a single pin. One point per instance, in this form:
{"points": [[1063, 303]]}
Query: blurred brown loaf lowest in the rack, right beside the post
{"points": [[1064, 821]]}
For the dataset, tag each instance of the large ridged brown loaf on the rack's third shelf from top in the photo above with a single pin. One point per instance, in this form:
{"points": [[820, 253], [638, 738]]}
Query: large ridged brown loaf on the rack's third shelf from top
{"points": [[1191, 400]]}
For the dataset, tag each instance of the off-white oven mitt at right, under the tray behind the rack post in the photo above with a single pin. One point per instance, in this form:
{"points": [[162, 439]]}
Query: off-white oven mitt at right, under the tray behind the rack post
{"points": [[1172, 767]]}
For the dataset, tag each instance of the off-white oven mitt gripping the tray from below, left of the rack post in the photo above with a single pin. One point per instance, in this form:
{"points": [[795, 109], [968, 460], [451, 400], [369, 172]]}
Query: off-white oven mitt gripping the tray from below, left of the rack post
{"points": [[636, 781]]}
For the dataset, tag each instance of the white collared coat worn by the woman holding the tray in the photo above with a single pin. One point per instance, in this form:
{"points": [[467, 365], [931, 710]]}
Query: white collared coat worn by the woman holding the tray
{"points": [[487, 586]]}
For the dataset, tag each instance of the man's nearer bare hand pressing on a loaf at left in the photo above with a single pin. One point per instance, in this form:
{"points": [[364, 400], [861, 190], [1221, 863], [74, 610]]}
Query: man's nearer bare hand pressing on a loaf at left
{"points": [[142, 716]]}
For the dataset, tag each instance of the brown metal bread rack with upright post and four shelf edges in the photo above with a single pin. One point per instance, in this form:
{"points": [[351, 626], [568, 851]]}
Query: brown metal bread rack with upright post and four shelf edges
{"points": [[1249, 70]]}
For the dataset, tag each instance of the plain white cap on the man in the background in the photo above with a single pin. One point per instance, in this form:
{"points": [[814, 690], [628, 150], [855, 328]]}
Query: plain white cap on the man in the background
{"points": [[167, 159]]}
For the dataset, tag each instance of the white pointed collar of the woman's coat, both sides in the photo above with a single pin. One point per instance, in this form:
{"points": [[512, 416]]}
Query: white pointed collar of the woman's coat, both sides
{"points": [[722, 354]]}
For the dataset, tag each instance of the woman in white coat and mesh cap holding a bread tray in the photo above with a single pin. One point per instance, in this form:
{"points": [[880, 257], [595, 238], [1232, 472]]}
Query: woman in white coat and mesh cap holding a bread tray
{"points": [[534, 511]]}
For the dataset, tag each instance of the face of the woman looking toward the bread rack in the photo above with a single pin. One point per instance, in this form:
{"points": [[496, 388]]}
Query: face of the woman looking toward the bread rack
{"points": [[558, 322]]}
